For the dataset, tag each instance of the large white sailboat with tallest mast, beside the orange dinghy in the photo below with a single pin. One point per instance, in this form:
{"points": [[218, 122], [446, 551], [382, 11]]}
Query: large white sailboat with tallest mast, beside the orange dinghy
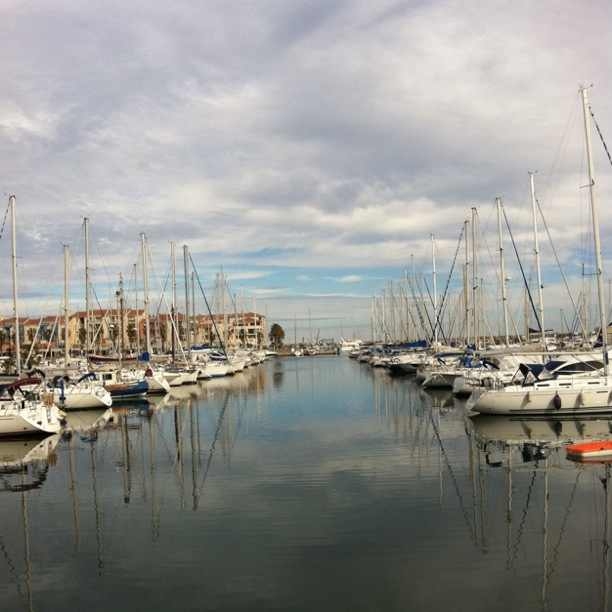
{"points": [[563, 395]]}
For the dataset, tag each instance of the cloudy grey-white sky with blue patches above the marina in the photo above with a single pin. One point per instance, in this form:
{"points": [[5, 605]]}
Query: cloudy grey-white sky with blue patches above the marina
{"points": [[308, 147]]}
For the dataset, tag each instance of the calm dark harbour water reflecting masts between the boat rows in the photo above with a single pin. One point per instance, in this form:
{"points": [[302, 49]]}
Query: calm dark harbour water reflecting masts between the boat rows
{"points": [[305, 484]]}
